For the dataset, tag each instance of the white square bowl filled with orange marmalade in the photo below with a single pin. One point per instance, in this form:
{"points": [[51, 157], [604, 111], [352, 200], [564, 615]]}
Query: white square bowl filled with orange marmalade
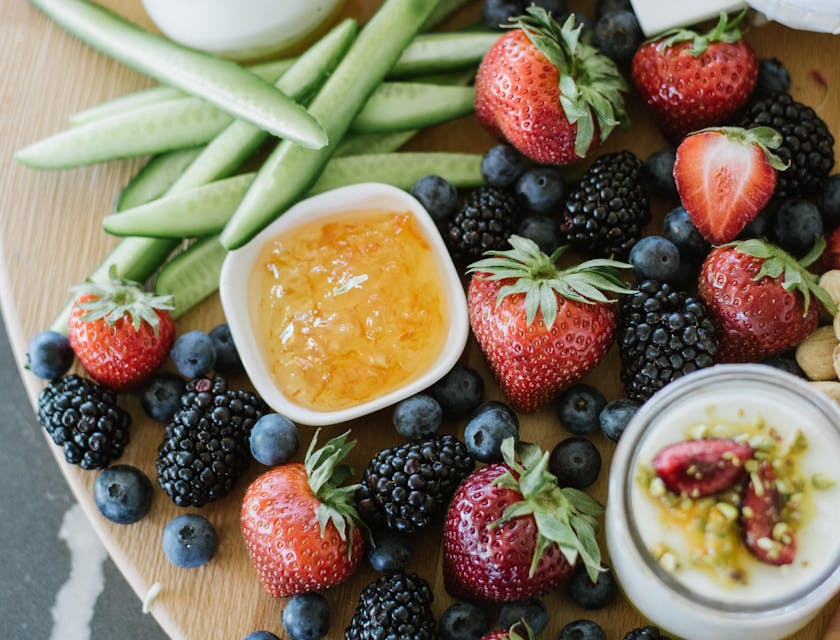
{"points": [[347, 303]]}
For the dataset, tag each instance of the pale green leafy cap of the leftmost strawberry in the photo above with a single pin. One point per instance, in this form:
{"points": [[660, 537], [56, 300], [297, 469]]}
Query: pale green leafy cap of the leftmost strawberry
{"points": [[116, 298]]}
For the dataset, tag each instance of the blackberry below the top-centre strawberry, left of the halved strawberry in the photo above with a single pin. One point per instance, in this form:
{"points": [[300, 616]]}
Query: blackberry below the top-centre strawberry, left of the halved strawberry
{"points": [[606, 212]]}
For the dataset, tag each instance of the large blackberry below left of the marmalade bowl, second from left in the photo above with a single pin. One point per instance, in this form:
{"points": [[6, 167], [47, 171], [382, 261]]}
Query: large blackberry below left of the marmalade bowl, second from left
{"points": [[205, 446]]}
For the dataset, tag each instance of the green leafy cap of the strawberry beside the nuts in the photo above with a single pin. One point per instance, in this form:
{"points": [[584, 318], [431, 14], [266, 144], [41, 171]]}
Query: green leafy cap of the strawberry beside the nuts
{"points": [[777, 263]]}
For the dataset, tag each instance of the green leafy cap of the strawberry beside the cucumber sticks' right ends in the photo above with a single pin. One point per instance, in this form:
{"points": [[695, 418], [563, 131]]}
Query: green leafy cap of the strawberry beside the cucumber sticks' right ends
{"points": [[589, 81]]}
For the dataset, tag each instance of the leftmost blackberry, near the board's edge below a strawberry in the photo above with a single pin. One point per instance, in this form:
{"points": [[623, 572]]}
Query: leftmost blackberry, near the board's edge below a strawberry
{"points": [[83, 418]]}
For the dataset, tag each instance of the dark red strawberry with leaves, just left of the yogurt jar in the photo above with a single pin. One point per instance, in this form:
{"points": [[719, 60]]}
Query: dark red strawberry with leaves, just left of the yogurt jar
{"points": [[512, 533]]}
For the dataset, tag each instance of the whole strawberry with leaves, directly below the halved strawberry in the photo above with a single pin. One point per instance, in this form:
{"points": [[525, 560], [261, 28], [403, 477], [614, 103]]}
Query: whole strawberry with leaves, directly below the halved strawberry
{"points": [[759, 297]]}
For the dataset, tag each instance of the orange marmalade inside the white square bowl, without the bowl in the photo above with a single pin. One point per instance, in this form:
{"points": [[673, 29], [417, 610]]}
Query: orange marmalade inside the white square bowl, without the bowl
{"points": [[348, 308]]}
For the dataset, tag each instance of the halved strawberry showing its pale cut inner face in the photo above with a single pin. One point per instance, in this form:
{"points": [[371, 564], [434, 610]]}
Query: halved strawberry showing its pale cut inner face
{"points": [[725, 177]]}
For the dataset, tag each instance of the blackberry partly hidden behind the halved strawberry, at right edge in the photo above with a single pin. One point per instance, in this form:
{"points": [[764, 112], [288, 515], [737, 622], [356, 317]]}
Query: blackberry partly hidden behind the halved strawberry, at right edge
{"points": [[806, 142]]}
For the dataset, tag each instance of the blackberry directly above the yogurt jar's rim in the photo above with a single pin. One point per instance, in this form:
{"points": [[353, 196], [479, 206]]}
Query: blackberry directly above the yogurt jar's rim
{"points": [[663, 334]]}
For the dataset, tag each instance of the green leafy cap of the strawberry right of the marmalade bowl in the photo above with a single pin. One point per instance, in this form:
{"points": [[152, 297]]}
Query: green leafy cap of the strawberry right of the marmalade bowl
{"points": [[538, 277]]}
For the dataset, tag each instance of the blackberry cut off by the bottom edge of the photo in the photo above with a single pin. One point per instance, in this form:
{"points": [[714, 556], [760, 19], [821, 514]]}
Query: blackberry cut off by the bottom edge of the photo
{"points": [[394, 607]]}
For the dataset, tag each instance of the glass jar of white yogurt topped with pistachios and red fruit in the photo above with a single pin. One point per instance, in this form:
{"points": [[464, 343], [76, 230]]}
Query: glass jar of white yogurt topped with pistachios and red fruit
{"points": [[723, 505]]}
